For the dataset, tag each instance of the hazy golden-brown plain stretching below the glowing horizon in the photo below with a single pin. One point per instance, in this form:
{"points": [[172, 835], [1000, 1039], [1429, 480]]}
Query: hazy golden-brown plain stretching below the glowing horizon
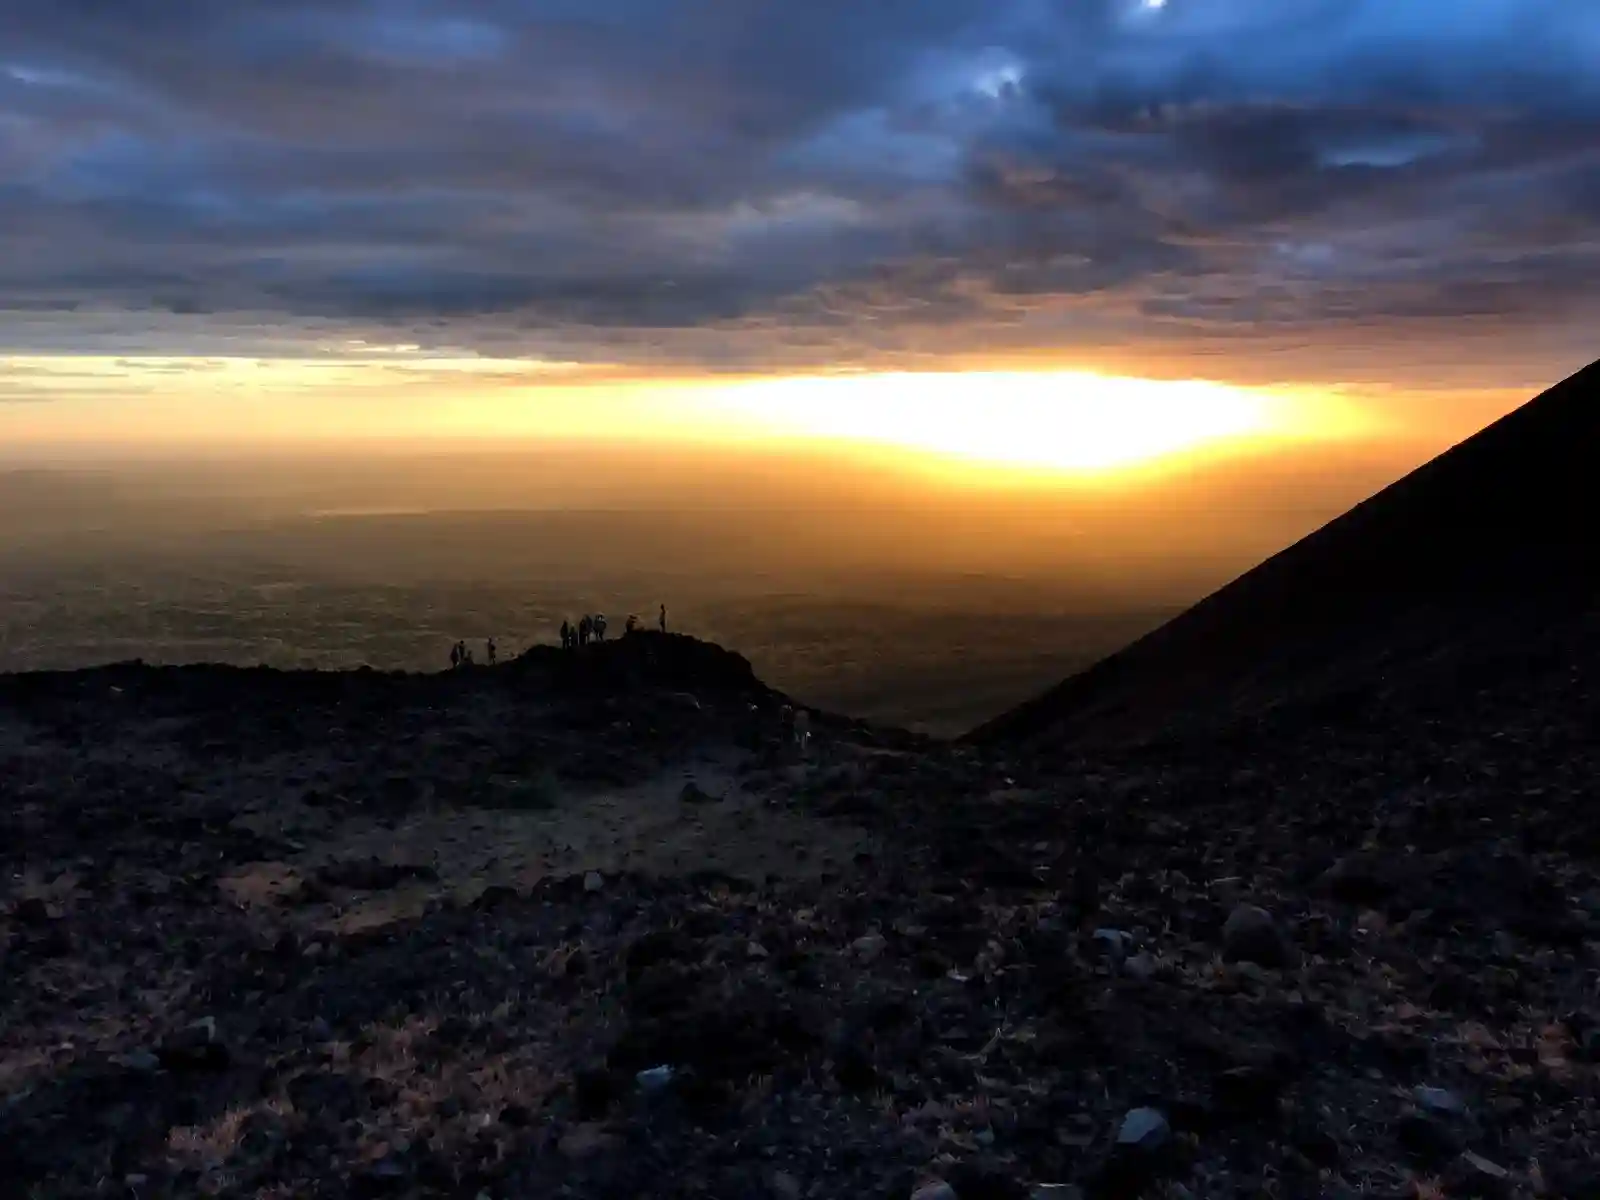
{"points": [[852, 590]]}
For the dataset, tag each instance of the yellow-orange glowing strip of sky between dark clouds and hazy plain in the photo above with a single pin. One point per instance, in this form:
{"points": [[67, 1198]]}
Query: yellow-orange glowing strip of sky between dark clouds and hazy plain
{"points": [[1004, 423]]}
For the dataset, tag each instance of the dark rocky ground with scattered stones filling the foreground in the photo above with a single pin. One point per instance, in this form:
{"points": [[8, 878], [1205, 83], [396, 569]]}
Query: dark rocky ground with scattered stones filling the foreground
{"points": [[588, 927]]}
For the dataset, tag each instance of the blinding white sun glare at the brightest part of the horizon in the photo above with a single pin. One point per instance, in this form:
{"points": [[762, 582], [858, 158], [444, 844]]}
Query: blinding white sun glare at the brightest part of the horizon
{"points": [[1081, 423]]}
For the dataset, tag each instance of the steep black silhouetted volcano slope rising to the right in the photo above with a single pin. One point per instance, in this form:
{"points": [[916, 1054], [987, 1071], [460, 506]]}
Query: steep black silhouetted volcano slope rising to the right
{"points": [[1487, 548]]}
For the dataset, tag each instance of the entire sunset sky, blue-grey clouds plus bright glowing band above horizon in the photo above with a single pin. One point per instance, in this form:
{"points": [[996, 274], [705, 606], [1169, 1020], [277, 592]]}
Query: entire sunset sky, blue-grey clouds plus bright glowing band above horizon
{"points": [[1065, 234]]}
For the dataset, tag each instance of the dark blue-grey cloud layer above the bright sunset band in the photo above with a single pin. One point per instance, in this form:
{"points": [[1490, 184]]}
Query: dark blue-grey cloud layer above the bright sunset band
{"points": [[761, 182]]}
